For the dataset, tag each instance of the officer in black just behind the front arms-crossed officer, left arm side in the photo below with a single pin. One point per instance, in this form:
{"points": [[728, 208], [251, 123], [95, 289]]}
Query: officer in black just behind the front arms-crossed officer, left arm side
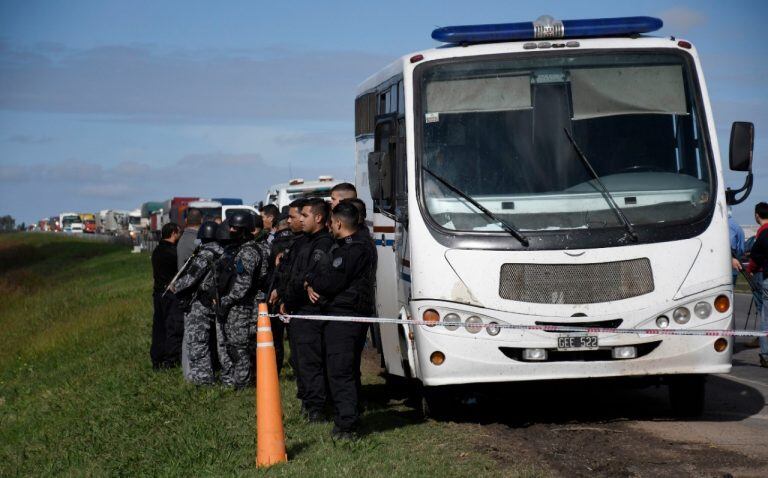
{"points": [[306, 335]]}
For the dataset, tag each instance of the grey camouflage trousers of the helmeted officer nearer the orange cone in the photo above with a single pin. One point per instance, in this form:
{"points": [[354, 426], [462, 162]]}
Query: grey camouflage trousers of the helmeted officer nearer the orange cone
{"points": [[237, 351]]}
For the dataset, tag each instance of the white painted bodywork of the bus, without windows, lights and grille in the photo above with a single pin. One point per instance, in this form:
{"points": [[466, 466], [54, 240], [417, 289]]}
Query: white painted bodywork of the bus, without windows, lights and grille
{"points": [[467, 281]]}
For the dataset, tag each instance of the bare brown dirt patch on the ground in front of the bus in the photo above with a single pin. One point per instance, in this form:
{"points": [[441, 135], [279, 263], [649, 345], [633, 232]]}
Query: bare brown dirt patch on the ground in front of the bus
{"points": [[607, 449]]}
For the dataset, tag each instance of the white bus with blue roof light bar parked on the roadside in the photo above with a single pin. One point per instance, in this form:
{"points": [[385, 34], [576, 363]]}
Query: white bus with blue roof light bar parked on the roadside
{"points": [[484, 162]]}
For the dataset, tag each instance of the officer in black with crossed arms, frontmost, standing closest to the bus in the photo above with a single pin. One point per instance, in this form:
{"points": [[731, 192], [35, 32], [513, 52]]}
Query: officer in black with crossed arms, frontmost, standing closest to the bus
{"points": [[345, 288]]}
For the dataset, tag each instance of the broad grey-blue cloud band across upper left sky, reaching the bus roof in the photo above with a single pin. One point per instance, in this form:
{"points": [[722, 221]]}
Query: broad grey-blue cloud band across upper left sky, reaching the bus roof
{"points": [[148, 83]]}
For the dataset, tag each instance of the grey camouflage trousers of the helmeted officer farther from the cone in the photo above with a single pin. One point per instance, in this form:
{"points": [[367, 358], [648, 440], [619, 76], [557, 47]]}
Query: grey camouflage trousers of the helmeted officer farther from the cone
{"points": [[198, 366]]}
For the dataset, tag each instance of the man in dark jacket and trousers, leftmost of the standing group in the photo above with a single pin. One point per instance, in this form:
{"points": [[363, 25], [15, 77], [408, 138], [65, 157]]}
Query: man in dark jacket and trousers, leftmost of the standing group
{"points": [[167, 321]]}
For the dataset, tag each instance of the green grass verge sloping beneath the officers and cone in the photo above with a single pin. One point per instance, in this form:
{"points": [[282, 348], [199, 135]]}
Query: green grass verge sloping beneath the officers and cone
{"points": [[78, 396]]}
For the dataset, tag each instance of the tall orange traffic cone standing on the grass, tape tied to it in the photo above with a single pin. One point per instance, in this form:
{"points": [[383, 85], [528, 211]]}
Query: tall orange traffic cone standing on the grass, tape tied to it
{"points": [[270, 436]]}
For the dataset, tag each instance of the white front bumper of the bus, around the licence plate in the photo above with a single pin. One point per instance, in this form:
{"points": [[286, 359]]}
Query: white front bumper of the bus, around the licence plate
{"points": [[479, 358]]}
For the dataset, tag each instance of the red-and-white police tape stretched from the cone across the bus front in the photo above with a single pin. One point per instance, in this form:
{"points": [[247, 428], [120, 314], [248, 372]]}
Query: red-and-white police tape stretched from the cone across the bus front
{"points": [[546, 328]]}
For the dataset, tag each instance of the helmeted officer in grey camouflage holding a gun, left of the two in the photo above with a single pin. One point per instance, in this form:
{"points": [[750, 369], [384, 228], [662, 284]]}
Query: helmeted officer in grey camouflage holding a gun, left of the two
{"points": [[195, 288]]}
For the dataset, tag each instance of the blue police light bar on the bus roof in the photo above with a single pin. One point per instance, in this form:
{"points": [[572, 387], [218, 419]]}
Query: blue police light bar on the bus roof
{"points": [[547, 27]]}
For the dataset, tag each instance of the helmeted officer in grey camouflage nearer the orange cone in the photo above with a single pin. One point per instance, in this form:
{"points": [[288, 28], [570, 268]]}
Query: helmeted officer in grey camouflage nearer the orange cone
{"points": [[237, 350]]}
